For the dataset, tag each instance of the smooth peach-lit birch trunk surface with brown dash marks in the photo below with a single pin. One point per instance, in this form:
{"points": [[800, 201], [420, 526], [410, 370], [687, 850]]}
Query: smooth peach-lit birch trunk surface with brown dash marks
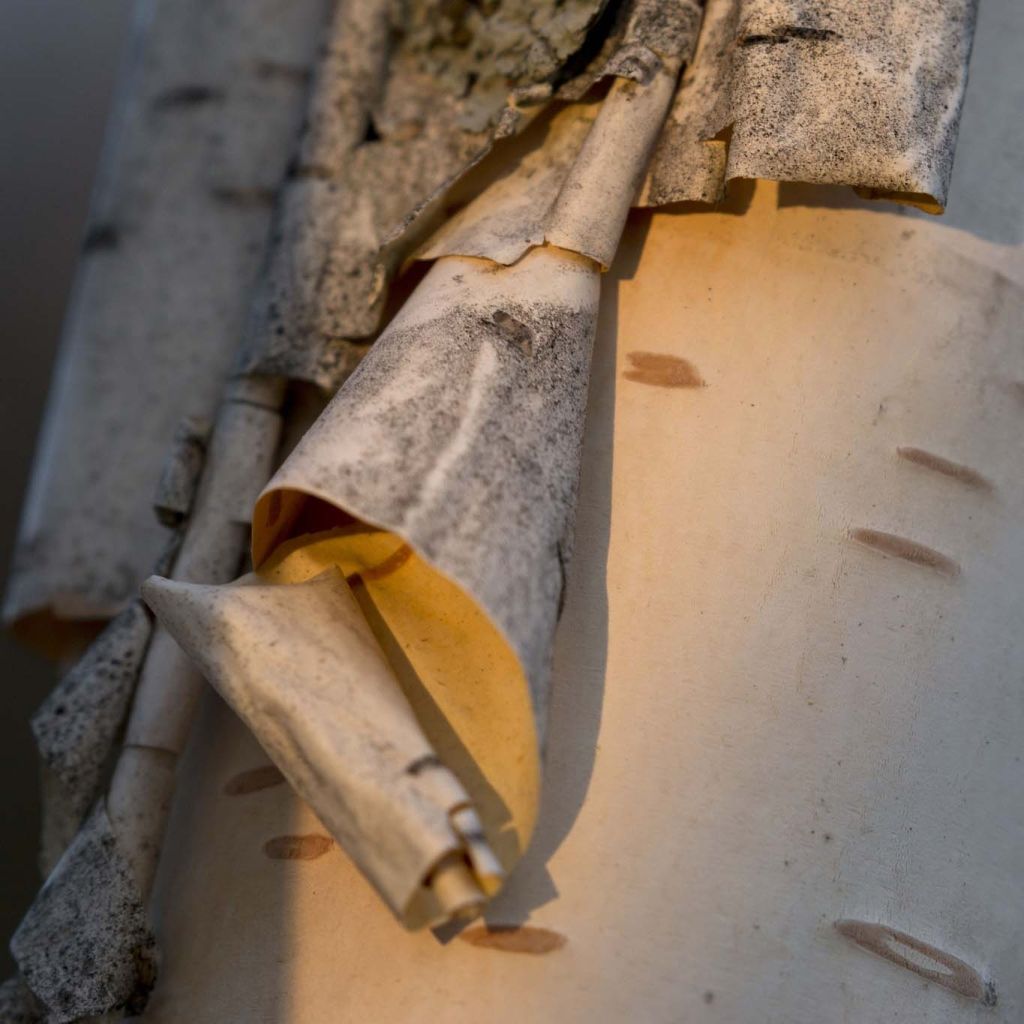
{"points": [[787, 718]]}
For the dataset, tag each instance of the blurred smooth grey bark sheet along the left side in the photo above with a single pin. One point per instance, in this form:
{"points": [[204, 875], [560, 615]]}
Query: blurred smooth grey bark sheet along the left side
{"points": [[208, 108]]}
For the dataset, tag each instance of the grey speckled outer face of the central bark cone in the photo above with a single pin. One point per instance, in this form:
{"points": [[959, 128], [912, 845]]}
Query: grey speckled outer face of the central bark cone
{"points": [[461, 433]]}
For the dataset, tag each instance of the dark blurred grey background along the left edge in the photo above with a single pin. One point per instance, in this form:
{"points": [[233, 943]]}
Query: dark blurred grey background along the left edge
{"points": [[59, 62]]}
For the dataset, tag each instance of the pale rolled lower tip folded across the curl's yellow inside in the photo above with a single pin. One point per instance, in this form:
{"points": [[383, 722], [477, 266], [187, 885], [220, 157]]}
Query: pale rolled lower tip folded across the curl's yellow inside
{"points": [[303, 668]]}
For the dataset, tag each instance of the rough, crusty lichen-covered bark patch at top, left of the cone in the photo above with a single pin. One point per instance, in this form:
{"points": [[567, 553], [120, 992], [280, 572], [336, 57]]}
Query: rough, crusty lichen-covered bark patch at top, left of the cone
{"points": [[395, 119]]}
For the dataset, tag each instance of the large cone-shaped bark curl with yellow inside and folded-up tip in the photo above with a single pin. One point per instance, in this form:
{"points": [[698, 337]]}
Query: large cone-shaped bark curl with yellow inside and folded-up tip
{"points": [[442, 482]]}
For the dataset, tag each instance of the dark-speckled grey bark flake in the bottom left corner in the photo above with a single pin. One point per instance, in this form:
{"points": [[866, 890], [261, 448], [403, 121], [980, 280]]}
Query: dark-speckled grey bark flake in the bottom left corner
{"points": [[86, 947]]}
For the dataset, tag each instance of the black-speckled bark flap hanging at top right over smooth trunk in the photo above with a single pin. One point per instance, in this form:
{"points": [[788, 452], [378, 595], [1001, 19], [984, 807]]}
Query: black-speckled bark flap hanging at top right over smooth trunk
{"points": [[839, 94]]}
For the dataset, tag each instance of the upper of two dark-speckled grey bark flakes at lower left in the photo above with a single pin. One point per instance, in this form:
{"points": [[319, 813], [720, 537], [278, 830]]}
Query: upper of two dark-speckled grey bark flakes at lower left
{"points": [[77, 727]]}
